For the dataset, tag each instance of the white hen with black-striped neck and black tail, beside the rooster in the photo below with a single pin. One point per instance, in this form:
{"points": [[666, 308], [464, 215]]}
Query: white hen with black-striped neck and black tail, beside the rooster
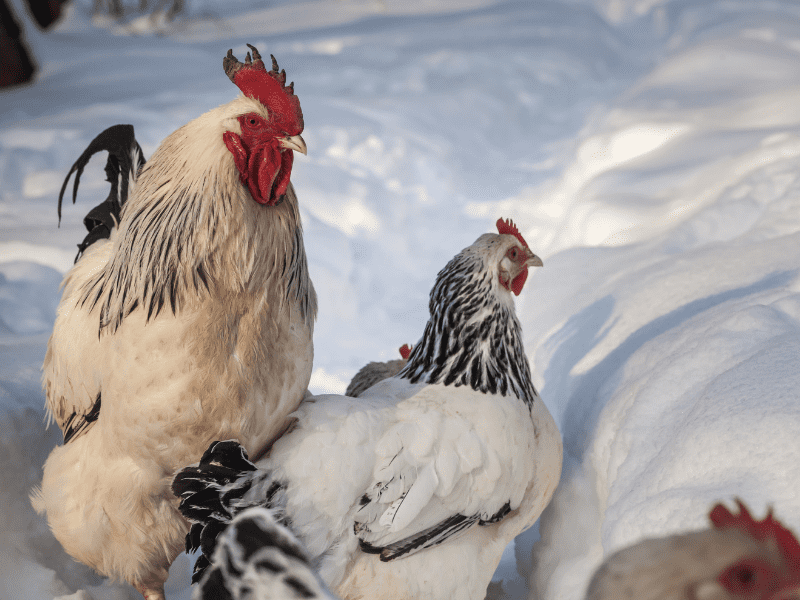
{"points": [[413, 489]]}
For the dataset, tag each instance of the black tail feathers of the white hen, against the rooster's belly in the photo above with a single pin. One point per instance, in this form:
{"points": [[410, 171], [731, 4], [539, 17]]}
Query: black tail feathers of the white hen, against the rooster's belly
{"points": [[213, 492]]}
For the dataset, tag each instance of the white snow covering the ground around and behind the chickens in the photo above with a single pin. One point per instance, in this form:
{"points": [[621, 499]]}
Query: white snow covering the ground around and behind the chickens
{"points": [[648, 149]]}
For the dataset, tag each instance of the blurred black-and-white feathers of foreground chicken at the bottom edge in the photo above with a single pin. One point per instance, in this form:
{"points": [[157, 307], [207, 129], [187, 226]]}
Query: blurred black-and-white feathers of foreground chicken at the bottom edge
{"points": [[257, 558]]}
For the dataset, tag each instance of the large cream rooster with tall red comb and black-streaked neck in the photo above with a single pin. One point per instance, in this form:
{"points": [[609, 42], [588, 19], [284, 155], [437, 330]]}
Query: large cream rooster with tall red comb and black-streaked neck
{"points": [[190, 323]]}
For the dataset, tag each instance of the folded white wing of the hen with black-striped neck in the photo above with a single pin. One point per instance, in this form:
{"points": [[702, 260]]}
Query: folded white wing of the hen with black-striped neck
{"points": [[448, 463]]}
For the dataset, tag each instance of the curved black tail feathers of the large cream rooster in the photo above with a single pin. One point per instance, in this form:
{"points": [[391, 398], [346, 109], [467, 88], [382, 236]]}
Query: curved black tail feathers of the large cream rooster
{"points": [[125, 159]]}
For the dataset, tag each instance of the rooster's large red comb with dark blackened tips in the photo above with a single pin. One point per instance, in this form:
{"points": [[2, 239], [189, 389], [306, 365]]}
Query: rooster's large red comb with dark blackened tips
{"points": [[268, 87]]}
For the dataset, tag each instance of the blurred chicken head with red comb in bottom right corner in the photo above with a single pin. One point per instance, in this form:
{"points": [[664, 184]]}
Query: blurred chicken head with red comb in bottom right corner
{"points": [[738, 558]]}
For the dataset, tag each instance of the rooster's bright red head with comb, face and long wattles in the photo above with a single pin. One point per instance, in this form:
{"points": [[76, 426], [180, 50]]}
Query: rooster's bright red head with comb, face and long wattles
{"points": [[262, 152]]}
